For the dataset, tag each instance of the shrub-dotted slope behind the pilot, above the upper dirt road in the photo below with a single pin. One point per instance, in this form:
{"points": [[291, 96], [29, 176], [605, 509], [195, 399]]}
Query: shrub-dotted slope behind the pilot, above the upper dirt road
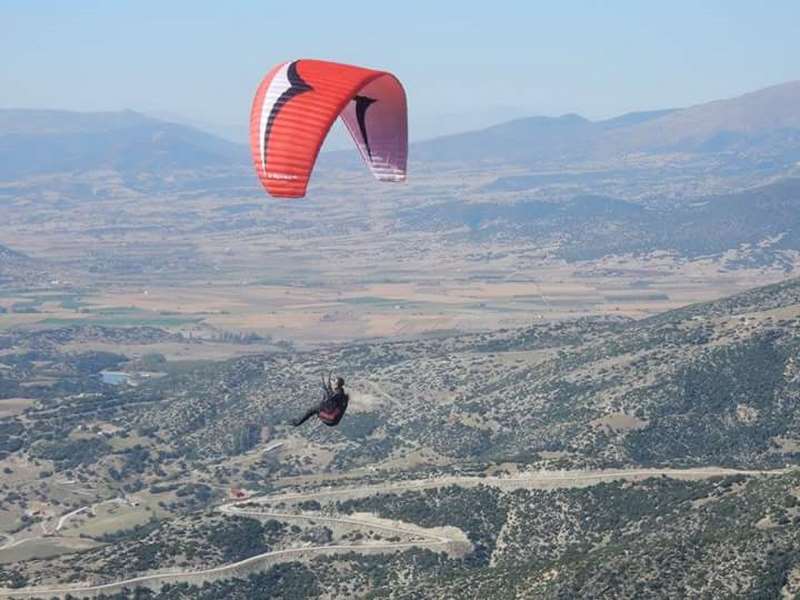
{"points": [[700, 388]]}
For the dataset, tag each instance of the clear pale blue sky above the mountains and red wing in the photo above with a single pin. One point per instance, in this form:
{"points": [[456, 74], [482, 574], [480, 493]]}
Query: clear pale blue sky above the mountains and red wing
{"points": [[464, 64]]}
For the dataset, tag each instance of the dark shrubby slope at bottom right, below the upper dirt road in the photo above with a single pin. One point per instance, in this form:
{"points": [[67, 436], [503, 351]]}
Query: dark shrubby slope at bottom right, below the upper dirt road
{"points": [[656, 539]]}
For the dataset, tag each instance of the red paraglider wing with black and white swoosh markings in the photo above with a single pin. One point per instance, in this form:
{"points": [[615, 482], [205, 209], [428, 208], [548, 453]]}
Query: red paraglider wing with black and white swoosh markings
{"points": [[295, 107]]}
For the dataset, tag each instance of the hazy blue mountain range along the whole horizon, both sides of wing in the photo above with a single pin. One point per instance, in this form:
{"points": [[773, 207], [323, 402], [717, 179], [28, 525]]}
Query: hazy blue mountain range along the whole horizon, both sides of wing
{"points": [[760, 127]]}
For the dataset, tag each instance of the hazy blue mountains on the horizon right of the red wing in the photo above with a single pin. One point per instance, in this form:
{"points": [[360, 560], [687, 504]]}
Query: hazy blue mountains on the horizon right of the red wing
{"points": [[764, 122]]}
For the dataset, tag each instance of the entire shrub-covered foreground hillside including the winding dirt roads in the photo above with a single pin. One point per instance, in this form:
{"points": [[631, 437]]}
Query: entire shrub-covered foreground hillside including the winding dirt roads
{"points": [[476, 427]]}
